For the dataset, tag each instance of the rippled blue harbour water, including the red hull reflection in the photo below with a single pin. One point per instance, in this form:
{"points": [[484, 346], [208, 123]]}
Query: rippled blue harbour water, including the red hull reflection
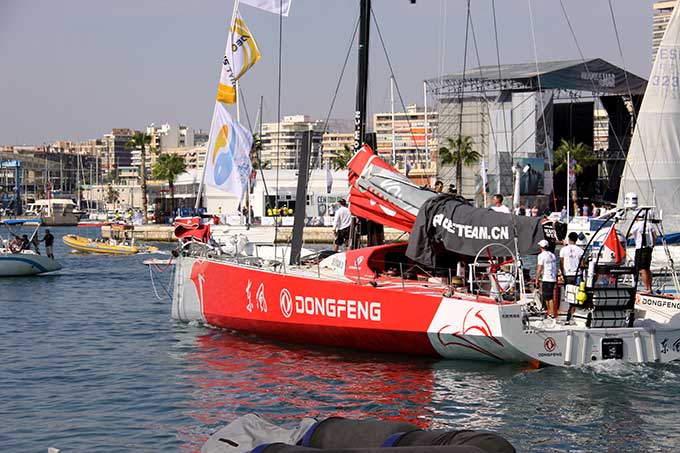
{"points": [[90, 361]]}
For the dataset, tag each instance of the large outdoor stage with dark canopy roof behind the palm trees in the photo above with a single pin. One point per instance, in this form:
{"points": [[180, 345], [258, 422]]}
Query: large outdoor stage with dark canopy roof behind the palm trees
{"points": [[518, 113]]}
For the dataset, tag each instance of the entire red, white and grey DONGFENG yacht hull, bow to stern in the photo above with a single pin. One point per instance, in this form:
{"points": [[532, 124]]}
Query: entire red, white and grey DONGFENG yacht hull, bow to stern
{"points": [[396, 317]]}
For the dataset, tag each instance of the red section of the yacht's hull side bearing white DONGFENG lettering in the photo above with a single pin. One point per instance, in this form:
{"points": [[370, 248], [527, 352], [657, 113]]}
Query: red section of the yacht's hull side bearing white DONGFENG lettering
{"points": [[229, 291]]}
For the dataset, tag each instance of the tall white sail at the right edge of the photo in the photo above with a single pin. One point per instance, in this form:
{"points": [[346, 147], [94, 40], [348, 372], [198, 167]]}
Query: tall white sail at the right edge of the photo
{"points": [[652, 168]]}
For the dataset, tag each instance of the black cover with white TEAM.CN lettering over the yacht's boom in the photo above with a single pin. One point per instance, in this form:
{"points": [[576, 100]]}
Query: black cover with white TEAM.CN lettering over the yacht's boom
{"points": [[451, 223]]}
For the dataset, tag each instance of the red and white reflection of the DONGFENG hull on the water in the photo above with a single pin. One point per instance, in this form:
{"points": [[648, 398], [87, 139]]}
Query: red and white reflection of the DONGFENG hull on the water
{"points": [[233, 375]]}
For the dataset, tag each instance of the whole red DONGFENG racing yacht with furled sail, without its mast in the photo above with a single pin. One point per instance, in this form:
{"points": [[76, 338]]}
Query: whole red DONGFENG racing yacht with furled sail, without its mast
{"points": [[407, 297]]}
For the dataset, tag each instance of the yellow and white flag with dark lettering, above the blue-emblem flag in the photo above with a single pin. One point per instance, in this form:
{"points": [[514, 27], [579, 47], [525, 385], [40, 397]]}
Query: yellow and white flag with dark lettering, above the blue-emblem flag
{"points": [[240, 55]]}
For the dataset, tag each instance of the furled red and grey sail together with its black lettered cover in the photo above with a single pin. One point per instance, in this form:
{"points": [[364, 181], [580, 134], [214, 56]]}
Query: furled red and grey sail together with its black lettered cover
{"points": [[378, 192]]}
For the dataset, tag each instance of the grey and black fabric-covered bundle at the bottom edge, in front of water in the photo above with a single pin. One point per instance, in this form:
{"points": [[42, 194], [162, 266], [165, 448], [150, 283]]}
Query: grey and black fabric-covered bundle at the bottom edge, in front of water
{"points": [[253, 433]]}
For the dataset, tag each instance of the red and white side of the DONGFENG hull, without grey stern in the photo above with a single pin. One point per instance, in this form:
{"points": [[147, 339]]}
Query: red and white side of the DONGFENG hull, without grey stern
{"points": [[304, 309]]}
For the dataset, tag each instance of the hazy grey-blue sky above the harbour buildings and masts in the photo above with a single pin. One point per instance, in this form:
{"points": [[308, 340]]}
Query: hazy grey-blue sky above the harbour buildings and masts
{"points": [[75, 69]]}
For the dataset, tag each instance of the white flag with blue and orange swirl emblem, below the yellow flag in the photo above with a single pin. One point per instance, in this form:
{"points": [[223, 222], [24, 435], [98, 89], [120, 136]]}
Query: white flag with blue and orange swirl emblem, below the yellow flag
{"points": [[227, 160]]}
